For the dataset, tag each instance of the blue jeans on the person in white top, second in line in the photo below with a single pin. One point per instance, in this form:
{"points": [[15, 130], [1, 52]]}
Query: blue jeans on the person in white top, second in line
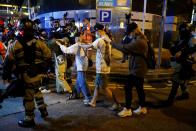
{"points": [[81, 85]]}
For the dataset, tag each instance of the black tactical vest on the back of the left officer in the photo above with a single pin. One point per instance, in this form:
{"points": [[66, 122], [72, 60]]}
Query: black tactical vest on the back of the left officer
{"points": [[28, 59]]}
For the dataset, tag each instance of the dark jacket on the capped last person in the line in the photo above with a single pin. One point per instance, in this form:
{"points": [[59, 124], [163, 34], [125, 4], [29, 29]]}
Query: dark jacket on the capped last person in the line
{"points": [[137, 47]]}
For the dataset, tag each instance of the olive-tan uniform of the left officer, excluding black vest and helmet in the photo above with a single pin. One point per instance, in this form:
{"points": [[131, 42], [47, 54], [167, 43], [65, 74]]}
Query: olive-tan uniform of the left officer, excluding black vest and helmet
{"points": [[15, 55]]}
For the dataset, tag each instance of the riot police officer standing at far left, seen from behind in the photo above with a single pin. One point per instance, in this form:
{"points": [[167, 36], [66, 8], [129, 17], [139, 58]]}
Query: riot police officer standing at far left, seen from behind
{"points": [[30, 57]]}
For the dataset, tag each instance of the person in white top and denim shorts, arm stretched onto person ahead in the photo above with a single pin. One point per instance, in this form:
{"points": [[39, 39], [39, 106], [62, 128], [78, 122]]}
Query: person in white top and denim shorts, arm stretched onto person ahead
{"points": [[103, 48]]}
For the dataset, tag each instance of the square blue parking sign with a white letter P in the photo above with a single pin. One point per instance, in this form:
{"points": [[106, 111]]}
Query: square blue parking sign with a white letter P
{"points": [[105, 16]]}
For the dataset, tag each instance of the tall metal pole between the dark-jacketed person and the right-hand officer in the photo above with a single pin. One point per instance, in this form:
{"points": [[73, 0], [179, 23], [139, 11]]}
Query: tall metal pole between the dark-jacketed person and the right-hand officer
{"points": [[162, 32]]}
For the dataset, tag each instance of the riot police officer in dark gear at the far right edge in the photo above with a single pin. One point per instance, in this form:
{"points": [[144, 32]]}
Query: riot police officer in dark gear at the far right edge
{"points": [[182, 63]]}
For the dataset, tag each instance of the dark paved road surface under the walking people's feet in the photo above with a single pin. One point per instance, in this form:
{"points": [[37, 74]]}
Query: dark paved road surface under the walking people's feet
{"points": [[72, 115]]}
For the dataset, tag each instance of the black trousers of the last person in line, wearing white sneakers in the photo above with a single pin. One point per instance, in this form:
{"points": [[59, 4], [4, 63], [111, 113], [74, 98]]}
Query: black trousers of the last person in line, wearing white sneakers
{"points": [[138, 82]]}
